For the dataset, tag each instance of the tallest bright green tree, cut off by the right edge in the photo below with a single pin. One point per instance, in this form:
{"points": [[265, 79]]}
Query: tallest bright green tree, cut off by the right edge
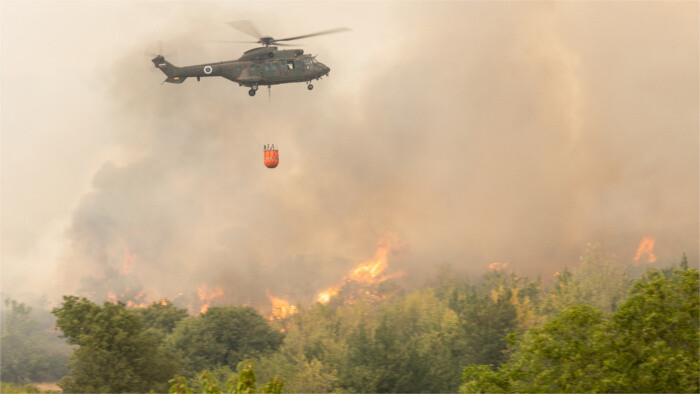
{"points": [[652, 340]]}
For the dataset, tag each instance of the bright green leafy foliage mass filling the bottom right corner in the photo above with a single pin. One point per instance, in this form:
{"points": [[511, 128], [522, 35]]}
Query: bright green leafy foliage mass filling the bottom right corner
{"points": [[649, 345]]}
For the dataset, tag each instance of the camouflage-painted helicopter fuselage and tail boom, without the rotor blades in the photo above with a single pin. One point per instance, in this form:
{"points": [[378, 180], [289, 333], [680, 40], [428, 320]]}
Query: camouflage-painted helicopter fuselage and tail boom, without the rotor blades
{"points": [[259, 66]]}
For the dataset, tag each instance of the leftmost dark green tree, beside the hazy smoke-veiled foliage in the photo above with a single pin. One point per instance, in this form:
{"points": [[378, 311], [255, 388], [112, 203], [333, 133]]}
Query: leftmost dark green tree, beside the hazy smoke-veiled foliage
{"points": [[115, 353]]}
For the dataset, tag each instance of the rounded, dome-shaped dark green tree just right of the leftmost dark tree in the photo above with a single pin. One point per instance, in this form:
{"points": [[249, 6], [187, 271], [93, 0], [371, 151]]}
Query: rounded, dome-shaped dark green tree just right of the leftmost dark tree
{"points": [[223, 336]]}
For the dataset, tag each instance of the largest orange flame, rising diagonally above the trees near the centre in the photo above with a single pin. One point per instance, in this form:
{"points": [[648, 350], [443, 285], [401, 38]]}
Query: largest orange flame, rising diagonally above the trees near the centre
{"points": [[366, 273]]}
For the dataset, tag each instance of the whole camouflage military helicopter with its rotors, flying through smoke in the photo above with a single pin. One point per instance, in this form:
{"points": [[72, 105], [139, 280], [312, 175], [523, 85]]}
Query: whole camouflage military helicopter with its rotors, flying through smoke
{"points": [[265, 65]]}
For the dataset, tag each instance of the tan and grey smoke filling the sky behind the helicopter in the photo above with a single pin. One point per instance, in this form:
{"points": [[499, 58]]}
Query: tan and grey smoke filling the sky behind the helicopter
{"points": [[464, 133]]}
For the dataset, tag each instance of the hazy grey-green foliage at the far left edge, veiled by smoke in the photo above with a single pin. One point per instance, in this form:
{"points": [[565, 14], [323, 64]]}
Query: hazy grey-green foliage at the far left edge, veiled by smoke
{"points": [[28, 352]]}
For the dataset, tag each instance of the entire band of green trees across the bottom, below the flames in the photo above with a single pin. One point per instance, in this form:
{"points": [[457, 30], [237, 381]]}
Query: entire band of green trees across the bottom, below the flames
{"points": [[591, 329]]}
